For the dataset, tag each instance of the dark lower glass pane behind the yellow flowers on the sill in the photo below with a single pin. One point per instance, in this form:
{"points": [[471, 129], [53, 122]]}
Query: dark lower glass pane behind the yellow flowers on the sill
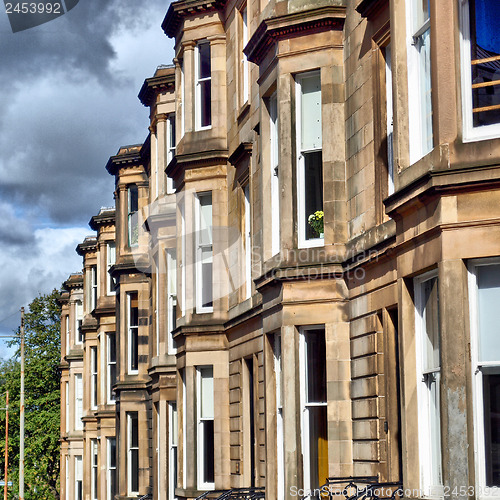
{"points": [[313, 170]]}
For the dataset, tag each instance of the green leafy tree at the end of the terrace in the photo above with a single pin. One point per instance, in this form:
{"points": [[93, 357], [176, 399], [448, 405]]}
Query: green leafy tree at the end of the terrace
{"points": [[42, 402]]}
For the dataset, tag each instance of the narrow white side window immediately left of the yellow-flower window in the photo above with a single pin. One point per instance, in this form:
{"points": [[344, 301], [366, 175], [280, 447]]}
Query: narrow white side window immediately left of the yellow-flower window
{"points": [[275, 193]]}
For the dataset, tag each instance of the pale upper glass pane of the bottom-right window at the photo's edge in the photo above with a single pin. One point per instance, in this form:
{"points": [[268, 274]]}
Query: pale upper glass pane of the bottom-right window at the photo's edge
{"points": [[489, 325]]}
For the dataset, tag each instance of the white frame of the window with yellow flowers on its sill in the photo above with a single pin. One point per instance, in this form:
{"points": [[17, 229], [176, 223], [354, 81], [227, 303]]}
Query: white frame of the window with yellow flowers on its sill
{"points": [[302, 223]]}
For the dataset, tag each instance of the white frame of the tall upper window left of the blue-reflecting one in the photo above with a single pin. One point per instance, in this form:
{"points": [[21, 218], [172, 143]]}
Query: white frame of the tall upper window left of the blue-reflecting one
{"points": [[415, 92]]}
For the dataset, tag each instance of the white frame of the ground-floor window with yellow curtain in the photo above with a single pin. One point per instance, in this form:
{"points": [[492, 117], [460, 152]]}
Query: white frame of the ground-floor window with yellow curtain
{"points": [[305, 406]]}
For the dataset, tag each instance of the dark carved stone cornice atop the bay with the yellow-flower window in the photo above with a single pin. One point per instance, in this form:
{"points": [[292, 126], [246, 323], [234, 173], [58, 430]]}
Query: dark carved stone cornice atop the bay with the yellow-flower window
{"points": [[283, 27]]}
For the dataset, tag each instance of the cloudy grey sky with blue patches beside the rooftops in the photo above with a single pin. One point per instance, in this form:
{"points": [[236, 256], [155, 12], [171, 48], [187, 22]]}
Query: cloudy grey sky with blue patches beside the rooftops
{"points": [[68, 102]]}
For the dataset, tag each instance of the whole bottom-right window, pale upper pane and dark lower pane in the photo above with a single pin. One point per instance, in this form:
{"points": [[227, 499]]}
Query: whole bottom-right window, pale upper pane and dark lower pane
{"points": [[484, 282]]}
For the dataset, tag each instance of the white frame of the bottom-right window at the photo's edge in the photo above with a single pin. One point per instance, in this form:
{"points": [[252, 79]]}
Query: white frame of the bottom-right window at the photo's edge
{"points": [[483, 491]]}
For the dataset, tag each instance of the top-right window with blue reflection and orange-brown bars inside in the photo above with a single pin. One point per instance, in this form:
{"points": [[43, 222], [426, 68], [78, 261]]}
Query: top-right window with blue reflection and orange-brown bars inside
{"points": [[481, 68]]}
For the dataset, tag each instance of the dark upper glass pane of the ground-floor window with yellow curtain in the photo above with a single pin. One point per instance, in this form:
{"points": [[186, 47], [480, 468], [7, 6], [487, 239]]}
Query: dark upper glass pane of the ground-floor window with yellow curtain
{"points": [[316, 366]]}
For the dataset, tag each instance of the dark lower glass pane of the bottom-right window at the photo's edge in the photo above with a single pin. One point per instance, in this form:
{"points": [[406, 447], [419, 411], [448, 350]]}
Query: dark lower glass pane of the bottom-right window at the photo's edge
{"points": [[491, 398]]}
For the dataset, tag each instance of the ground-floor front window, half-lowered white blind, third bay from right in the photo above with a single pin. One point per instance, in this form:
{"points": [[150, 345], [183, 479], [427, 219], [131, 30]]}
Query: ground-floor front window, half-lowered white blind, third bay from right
{"points": [[205, 431]]}
